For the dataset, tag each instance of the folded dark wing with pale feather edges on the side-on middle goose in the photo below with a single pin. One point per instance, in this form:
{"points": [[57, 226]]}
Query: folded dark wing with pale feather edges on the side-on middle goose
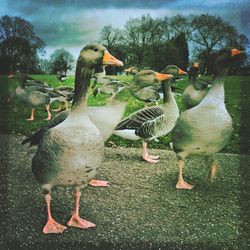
{"points": [[145, 122]]}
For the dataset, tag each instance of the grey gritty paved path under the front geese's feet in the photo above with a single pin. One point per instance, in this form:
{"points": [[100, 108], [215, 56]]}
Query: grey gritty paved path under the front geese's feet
{"points": [[140, 210]]}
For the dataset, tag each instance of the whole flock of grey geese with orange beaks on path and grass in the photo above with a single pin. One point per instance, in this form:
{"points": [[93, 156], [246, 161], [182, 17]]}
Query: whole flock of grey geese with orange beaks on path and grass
{"points": [[71, 145]]}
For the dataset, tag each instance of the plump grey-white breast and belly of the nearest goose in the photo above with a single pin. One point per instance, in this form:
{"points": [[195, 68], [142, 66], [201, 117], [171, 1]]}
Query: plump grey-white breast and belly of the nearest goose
{"points": [[64, 160]]}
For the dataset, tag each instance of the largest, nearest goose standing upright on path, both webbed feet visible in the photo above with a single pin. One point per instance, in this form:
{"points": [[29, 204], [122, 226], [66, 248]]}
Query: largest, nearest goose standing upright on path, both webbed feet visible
{"points": [[70, 153]]}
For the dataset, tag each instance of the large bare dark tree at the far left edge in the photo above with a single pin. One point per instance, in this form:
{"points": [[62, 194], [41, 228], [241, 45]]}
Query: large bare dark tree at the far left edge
{"points": [[19, 46]]}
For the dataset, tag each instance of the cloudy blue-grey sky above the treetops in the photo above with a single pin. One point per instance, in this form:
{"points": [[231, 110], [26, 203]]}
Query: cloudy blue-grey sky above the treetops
{"points": [[71, 24]]}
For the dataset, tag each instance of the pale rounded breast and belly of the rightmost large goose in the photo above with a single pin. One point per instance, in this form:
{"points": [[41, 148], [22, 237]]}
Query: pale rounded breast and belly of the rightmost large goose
{"points": [[206, 136]]}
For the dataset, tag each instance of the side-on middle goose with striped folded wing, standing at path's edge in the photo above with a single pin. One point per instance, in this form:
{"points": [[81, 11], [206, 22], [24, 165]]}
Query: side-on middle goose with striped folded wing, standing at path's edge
{"points": [[151, 122]]}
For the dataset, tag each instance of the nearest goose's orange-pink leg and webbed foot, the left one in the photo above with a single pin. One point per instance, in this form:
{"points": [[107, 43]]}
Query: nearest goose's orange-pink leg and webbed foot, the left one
{"points": [[52, 226]]}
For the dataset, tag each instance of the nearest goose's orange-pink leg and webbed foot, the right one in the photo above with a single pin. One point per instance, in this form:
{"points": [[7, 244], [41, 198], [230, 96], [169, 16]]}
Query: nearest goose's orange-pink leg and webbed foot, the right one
{"points": [[76, 220]]}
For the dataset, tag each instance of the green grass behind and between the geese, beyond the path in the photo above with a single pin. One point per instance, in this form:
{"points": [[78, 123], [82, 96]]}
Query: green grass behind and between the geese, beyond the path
{"points": [[14, 114]]}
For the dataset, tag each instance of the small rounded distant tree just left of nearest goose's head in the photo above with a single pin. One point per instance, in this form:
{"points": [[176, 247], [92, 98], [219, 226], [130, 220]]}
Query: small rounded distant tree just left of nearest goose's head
{"points": [[61, 61]]}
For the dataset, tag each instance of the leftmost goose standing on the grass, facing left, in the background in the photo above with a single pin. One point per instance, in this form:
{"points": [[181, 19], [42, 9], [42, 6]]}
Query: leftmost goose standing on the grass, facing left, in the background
{"points": [[34, 93]]}
